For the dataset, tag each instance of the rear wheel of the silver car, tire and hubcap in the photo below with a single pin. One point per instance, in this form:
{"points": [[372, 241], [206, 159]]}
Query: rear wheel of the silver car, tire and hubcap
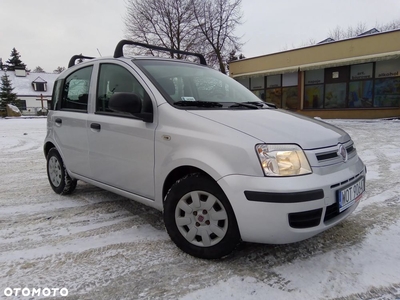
{"points": [[60, 181]]}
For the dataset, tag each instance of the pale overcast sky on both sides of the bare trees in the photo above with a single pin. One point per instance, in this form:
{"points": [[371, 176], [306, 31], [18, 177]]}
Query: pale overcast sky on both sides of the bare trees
{"points": [[48, 32]]}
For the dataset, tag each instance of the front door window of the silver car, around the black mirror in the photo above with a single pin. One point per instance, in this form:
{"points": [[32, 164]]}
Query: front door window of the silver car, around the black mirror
{"points": [[114, 79]]}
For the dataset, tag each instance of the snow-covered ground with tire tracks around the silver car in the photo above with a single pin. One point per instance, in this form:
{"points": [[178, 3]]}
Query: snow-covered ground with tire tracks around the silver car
{"points": [[102, 246]]}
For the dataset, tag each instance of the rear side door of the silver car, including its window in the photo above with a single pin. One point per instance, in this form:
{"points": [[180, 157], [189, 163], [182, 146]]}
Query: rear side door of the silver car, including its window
{"points": [[69, 119]]}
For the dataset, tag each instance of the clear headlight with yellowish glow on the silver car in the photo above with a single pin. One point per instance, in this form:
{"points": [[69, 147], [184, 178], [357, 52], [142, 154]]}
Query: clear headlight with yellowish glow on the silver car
{"points": [[282, 160]]}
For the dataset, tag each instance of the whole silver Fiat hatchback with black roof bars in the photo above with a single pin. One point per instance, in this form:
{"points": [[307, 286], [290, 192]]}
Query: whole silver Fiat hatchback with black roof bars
{"points": [[178, 136]]}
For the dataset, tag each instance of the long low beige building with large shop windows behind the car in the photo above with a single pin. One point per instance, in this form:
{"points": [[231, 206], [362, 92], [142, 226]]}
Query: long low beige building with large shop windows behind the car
{"points": [[352, 78]]}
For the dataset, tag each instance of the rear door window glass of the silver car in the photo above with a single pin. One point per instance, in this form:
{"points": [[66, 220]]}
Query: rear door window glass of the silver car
{"points": [[76, 90]]}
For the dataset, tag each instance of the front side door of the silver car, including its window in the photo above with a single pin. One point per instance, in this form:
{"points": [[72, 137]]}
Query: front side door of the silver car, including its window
{"points": [[121, 147]]}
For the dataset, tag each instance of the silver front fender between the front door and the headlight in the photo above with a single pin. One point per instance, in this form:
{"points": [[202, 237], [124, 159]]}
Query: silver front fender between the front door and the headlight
{"points": [[183, 139]]}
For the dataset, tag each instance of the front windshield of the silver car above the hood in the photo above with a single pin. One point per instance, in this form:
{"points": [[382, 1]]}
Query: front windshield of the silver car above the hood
{"points": [[190, 85]]}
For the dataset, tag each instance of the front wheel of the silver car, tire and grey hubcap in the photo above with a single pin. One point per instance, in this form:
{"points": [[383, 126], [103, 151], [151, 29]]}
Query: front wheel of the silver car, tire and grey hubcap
{"points": [[199, 218]]}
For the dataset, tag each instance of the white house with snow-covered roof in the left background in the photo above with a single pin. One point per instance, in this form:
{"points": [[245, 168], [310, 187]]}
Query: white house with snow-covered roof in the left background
{"points": [[33, 89]]}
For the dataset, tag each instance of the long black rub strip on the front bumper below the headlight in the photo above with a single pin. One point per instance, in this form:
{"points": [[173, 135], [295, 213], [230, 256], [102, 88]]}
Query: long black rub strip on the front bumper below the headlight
{"points": [[284, 197]]}
